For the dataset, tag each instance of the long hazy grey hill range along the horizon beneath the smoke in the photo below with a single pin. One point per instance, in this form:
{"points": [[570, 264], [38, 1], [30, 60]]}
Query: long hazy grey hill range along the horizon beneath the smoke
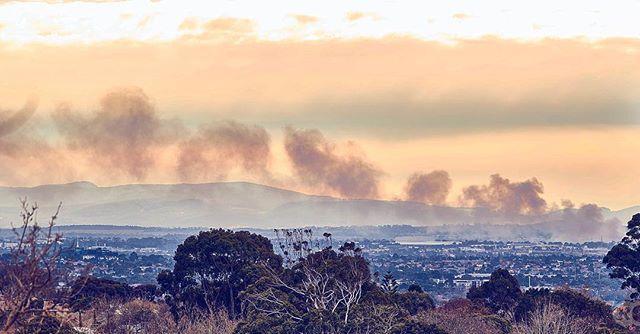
{"points": [[248, 205]]}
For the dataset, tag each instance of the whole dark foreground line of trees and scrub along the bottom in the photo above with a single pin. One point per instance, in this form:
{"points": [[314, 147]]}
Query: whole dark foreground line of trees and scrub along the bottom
{"points": [[227, 282]]}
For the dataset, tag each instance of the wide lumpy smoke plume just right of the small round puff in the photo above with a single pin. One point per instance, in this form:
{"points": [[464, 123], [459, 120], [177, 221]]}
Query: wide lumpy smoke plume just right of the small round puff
{"points": [[506, 197]]}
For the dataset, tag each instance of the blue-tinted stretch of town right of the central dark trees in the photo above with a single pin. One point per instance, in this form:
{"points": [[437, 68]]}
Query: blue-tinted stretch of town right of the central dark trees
{"points": [[448, 269]]}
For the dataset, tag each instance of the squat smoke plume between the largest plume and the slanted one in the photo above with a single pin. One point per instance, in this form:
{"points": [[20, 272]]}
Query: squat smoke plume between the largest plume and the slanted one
{"points": [[214, 150]]}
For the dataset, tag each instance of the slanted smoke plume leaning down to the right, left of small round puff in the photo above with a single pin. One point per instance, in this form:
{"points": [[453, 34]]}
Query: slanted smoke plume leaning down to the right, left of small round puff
{"points": [[317, 162]]}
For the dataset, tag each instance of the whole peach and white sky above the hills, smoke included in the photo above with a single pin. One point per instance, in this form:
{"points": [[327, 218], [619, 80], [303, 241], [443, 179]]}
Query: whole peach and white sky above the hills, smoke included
{"points": [[356, 99]]}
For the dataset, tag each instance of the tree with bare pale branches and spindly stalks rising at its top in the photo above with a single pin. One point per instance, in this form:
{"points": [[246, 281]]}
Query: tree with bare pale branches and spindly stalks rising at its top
{"points": [[318, 280]]}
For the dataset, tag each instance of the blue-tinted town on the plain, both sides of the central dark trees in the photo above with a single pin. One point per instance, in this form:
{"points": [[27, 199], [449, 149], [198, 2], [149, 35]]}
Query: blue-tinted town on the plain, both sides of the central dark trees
{"points": [[446, 269]]}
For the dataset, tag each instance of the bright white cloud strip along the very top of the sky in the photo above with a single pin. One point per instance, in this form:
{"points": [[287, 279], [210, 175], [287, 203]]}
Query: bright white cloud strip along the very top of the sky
{"points": [[86, 21]]}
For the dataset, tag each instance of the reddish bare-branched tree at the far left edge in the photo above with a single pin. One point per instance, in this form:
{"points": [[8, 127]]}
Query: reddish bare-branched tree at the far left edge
{"points": [[29, 273]]}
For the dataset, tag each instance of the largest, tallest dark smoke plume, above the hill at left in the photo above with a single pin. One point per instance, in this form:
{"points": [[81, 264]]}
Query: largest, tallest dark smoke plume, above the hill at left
{"points": [[120, 135]]}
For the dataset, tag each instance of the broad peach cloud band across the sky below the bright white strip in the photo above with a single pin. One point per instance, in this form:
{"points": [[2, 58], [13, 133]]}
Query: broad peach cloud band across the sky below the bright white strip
{"points": [[389, 88]]}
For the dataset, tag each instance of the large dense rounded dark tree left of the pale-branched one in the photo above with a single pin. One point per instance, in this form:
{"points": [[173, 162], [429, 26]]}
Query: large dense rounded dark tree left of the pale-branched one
{"points": [[213, 267]]}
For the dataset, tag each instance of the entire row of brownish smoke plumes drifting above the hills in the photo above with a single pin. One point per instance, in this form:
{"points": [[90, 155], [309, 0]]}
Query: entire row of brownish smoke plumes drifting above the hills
{"points": [[126, 131]]}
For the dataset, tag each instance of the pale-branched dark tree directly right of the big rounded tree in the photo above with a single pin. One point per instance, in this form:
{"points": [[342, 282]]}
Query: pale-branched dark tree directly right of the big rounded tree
{"points": [[320, 289]]}
